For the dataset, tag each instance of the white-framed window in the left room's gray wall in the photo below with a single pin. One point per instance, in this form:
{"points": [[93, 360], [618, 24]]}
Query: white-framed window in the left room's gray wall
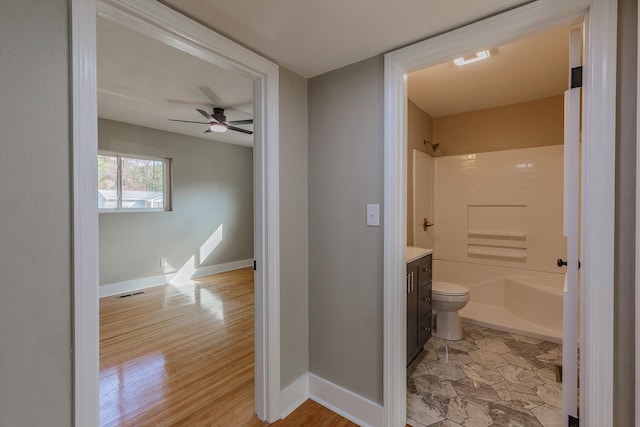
{"points": [[132, 183]]}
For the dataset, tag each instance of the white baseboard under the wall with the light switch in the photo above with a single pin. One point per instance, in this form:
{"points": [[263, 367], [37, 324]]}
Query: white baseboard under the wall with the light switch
{"points": [[353, 407]]}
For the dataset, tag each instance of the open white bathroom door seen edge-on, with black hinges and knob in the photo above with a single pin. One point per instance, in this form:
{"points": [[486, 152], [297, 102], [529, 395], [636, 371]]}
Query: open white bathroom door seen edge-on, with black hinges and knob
{"points": [[571, 231]]}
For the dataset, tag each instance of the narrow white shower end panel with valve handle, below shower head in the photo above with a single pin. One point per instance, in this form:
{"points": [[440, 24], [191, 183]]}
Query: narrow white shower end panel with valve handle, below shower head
{"points": [[423, 237]]}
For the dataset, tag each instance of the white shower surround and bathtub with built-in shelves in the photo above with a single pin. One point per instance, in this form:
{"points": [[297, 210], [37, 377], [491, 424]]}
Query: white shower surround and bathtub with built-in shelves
{"points": [[498, 231]]}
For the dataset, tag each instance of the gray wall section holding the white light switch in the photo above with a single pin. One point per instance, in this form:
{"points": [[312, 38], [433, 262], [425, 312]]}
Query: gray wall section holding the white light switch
{"points": [[345, 256]]}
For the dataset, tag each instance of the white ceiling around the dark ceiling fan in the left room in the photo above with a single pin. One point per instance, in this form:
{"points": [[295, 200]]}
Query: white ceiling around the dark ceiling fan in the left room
{"points": [[146, 83]]}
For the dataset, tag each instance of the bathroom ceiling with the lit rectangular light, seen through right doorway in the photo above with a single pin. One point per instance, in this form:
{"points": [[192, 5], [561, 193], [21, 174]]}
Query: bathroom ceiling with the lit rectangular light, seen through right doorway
{"points": [[529, 69]]}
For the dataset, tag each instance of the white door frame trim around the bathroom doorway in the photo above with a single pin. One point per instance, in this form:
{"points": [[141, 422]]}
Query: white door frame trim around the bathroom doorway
{"points": [[598, 180]]}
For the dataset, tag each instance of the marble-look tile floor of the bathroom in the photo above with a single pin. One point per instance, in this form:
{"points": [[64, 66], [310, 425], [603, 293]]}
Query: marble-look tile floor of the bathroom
{"points": [[489, 378]]}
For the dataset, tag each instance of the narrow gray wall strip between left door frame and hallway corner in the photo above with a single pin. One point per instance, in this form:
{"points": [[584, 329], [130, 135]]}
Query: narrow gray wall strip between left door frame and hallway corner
{"points": [[294, 228]]}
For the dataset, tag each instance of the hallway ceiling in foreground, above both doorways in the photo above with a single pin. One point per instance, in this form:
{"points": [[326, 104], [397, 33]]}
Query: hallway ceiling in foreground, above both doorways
{"points": [[313, 37]]}
